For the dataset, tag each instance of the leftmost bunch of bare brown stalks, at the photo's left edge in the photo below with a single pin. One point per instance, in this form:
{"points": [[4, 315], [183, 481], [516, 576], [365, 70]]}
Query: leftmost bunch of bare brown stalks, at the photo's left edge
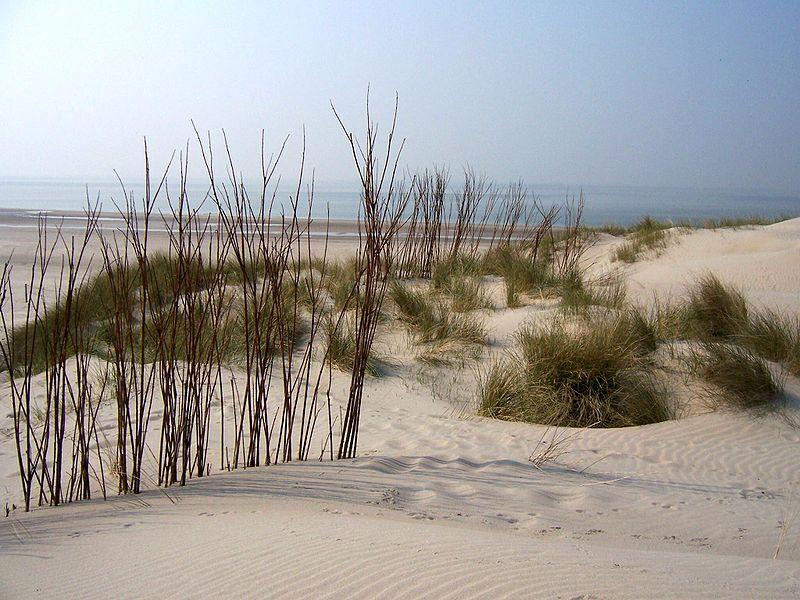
{"points": [[49, 447]]}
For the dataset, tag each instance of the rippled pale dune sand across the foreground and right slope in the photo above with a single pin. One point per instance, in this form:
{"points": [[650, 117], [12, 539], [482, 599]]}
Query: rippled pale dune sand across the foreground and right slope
{"points": [[443, 505]]}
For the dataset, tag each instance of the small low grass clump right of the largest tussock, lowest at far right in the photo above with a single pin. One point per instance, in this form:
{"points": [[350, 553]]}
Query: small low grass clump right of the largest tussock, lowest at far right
{"points": [[736, 377]]}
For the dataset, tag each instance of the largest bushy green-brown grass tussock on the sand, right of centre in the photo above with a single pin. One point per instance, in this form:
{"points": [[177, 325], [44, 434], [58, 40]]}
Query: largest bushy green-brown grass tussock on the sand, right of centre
{"points": [[600, 375]]}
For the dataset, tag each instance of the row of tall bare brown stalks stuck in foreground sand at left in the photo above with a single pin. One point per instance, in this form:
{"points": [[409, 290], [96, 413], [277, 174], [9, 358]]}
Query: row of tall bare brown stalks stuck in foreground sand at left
{"points": [[233, 288]]}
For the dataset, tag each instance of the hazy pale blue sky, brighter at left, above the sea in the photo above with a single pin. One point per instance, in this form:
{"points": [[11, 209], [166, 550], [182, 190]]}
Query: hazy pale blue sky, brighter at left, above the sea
{"points": [[698, 94]]}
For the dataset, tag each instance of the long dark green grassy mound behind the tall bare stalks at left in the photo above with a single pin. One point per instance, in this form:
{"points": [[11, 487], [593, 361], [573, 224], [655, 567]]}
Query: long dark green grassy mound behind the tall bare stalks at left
{"points": [[92, 312]]}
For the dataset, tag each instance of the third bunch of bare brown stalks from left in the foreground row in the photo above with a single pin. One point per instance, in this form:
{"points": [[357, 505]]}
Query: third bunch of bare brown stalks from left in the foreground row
{"points": [[188, 325]]}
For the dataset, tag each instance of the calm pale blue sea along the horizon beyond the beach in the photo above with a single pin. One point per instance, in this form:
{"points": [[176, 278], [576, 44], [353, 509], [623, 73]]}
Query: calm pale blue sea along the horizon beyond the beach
{"points": [[622, 205]]}
